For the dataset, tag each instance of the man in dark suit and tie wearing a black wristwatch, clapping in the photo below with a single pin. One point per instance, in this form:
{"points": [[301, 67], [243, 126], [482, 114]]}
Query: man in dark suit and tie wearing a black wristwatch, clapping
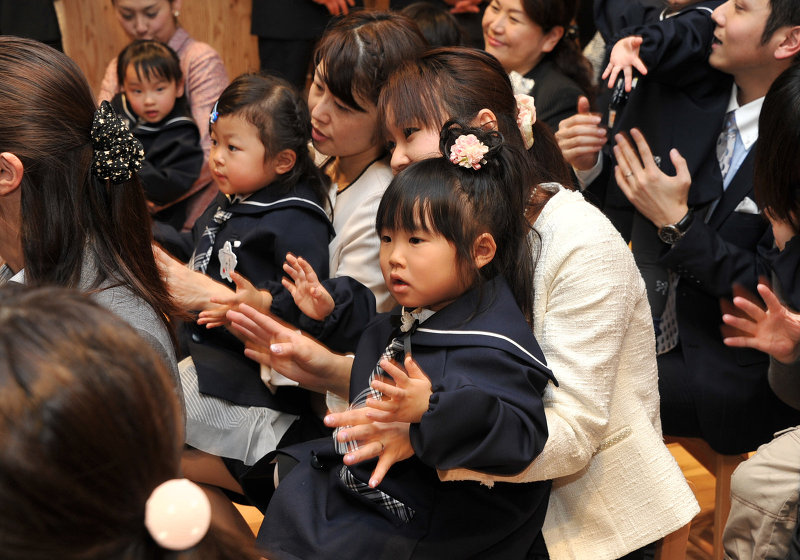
{"points": [[708, 390]]}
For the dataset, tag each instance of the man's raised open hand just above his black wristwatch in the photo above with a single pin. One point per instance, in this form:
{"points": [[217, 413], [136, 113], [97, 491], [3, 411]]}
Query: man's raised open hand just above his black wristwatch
{"points": [[660, 198]]}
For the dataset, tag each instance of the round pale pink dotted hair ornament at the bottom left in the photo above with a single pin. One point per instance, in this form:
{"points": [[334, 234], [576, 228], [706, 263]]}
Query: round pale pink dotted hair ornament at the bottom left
{"points": [[177, 514]]}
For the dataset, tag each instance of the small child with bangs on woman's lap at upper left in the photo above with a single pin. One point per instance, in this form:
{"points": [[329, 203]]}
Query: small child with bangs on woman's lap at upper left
{"points": [[153, 104]]}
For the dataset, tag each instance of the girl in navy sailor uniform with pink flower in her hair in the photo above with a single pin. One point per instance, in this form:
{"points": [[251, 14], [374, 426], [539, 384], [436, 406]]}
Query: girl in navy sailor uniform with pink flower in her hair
{"points": [[454, 254]]}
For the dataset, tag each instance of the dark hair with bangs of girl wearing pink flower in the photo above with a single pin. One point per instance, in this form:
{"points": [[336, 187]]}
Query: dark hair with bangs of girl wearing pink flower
{"points": [[461, 203]]}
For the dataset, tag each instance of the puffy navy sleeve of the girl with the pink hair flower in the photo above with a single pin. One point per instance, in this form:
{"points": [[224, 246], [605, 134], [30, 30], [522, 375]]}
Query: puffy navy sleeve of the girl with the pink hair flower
{"points": [[486, 414]]}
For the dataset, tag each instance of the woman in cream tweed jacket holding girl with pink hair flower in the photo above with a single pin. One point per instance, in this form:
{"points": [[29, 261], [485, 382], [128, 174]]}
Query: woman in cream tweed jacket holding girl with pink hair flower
{"points": [[594, 334]]}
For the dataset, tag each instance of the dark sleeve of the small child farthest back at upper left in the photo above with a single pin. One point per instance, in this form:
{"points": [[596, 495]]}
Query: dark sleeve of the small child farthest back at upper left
{"points": [[172, 164]]}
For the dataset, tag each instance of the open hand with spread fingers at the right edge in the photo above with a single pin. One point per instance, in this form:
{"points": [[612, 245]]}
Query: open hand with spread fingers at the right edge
{"points": [[774, 330]]}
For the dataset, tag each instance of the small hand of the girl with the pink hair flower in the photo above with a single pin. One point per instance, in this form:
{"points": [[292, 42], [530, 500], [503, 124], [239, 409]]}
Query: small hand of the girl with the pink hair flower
{"points": [[406, 400]]}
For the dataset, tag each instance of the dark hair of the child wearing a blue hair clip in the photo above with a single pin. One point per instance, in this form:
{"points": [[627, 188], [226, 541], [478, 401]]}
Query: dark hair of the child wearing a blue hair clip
{"points": [[281, 116]]}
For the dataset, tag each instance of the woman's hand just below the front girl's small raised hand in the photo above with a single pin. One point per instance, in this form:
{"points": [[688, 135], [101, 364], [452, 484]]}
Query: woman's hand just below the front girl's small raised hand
{"points": [[389, 442]]}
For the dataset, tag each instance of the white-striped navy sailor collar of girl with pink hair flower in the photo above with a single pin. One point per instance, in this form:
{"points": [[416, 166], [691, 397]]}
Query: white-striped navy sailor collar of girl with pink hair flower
{"points": [[459, 325]]}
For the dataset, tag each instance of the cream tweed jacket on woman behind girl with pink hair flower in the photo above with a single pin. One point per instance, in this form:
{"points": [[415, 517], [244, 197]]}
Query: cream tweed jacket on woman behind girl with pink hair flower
{"points": [[616, 486]]}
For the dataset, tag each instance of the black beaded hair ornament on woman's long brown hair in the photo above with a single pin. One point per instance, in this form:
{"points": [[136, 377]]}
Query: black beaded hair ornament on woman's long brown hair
{"points": [[117, 152]]}
